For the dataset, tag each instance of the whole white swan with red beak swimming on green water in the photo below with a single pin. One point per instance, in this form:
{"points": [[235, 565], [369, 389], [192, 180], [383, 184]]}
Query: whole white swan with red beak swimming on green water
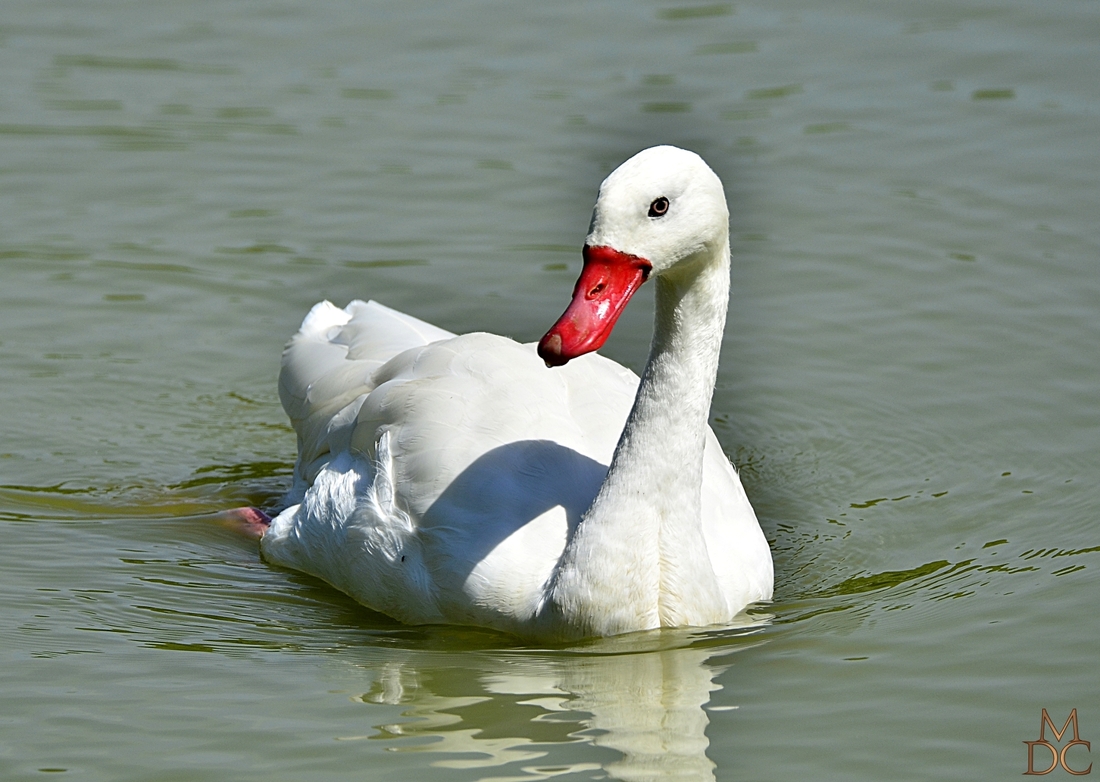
{"points": [[544, 490]]}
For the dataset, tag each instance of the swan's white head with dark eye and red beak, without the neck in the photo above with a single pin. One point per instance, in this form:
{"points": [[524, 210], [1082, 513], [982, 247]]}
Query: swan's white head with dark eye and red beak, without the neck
{"points": [[662, 212]]}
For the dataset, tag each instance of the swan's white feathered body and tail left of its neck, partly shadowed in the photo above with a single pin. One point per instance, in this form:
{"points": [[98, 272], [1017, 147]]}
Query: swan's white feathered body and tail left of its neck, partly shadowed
{"points": [[441, 477]]}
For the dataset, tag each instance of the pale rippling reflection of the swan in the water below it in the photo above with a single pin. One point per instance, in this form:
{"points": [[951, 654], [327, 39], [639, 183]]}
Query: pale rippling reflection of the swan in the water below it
{"points": [[635, 707]]}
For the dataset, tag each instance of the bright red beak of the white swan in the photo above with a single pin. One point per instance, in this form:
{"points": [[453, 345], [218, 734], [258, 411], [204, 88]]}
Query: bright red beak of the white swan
{"points": [[608, 282]]}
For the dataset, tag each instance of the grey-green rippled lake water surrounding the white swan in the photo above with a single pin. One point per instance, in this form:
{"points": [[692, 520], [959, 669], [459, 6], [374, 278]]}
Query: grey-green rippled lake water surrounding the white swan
{"points": [[909, 383]]}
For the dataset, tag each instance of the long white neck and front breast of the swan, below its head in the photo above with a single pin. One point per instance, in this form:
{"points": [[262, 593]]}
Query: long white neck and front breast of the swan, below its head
{"points": [[639, 559]]}
